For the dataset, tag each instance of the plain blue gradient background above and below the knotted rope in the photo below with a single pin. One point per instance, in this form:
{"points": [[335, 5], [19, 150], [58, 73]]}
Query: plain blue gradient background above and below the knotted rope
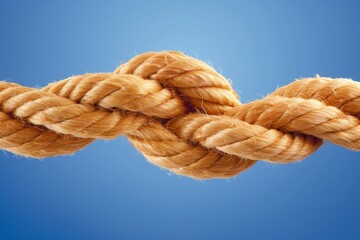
{"points": [[109, 191]]}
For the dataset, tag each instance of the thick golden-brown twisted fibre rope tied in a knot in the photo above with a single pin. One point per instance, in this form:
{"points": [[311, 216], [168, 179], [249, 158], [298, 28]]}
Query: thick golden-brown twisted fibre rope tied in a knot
{"points": [[181, 114]]}
